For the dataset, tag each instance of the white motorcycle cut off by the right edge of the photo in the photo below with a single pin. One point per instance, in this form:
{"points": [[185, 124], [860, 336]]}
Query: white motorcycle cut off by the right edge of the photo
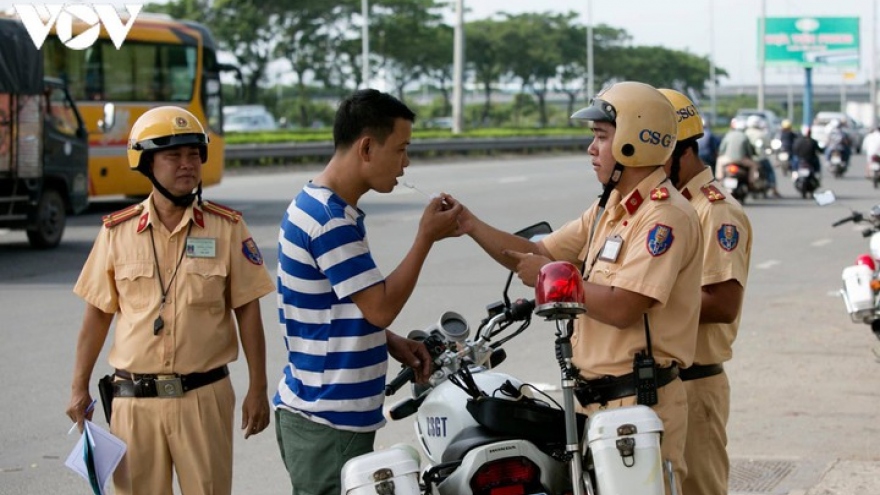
{"points": [[861, 281]]}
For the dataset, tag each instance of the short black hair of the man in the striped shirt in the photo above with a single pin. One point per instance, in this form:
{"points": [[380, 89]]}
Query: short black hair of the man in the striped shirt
{"points": [[370, 111]]}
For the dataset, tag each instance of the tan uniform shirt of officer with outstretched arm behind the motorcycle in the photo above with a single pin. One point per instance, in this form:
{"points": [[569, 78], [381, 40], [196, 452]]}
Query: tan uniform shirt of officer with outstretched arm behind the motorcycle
{"points": [[659, 257]]}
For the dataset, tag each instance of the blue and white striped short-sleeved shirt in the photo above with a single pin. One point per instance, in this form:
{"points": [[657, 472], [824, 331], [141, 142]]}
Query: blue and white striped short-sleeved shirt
{"points": [[336, 359]]}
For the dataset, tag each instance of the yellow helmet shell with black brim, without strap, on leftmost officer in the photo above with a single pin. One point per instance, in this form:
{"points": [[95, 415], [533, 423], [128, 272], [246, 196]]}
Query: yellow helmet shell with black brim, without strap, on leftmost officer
{"points": [[162, 128]]}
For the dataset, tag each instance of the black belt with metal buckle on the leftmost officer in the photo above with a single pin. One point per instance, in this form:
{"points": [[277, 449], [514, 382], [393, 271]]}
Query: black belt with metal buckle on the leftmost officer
{"points": [[166, 386]]}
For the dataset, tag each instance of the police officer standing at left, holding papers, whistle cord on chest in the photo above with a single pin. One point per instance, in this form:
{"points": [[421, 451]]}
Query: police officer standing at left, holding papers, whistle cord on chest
{"points": [[179, 274]]}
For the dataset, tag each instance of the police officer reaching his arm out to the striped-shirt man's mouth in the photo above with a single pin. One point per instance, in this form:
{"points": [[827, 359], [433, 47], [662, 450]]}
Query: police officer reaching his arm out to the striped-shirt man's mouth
{"points": [[640, 246]]}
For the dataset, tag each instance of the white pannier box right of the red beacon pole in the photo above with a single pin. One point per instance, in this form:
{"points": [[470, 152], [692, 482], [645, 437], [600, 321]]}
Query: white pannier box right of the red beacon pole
{"points": [[625, 444]]}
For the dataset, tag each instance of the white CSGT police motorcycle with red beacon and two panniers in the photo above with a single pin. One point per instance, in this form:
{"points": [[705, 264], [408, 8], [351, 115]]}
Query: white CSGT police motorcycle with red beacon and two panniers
{"points": [[487, 433]]}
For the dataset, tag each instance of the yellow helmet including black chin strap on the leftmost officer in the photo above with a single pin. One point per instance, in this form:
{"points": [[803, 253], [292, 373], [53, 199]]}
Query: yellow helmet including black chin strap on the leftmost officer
{"points": [[163, 128]]}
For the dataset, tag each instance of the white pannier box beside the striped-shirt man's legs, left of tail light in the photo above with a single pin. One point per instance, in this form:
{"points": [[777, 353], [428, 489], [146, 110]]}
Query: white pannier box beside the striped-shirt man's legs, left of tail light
{"points": [[392, 471]]}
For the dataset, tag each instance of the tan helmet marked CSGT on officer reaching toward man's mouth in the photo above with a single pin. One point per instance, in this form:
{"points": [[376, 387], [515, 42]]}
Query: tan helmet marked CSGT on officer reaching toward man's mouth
{"points": [[644, 121]]}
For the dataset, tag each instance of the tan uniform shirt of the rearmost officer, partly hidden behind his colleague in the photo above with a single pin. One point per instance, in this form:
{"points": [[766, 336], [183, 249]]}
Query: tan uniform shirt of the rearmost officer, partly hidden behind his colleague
{"points": [[727, 243]]}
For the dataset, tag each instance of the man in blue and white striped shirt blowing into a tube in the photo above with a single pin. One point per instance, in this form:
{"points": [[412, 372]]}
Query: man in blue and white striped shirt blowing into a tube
{"points": [[335, 305]]}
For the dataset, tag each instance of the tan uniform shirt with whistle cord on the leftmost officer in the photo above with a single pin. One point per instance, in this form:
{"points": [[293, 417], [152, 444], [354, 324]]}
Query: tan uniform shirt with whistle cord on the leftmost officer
{"points": [[199, 331]]}
